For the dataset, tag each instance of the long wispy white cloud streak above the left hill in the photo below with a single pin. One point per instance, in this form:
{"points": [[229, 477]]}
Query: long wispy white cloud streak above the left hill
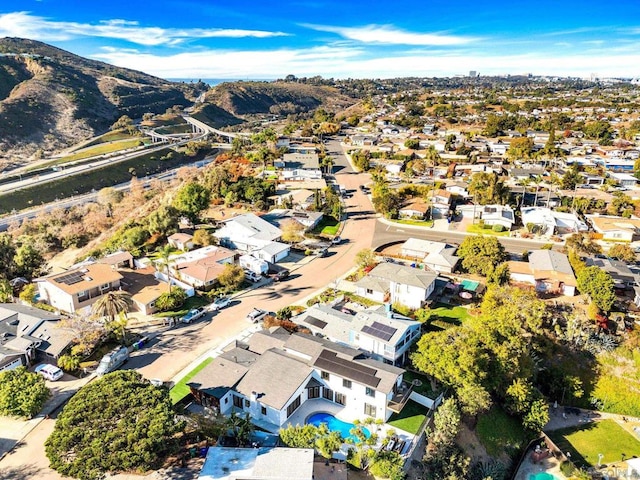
{"points": [[23, 24]]}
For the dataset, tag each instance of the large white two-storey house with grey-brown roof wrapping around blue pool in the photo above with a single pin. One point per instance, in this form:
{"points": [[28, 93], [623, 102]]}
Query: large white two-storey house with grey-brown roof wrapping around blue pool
{"points": [[277, 372]]}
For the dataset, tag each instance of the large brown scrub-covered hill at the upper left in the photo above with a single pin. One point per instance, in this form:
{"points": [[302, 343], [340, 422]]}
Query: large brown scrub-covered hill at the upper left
{"points": [[51, 99]]}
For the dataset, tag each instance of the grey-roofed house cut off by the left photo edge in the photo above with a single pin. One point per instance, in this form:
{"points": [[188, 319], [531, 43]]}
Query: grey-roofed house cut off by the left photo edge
{"points": [[27, 333]]}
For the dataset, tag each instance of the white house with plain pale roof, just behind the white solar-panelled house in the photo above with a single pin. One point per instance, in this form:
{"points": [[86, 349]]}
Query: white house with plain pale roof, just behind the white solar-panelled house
{"points": [[393, 283]]}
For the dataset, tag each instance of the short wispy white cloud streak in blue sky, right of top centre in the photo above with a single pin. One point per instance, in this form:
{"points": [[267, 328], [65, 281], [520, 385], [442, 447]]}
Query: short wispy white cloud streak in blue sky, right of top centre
{"points": [[389, 35]]}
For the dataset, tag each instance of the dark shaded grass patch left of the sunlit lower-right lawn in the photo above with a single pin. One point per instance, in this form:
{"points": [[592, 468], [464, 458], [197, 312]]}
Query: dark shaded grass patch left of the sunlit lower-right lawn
{"points": [[499, 432]]}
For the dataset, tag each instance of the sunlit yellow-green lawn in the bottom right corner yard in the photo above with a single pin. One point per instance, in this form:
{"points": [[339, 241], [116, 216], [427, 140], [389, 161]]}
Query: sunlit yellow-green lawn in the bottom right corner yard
{"points": [[585, 442]]}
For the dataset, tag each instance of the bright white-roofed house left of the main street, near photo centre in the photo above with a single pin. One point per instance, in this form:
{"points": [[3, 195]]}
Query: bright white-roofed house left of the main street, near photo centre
{"points": [[251, 234]]}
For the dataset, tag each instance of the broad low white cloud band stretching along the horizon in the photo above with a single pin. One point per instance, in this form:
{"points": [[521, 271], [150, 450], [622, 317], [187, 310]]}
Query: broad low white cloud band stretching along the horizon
{"points": [[351, 63]]}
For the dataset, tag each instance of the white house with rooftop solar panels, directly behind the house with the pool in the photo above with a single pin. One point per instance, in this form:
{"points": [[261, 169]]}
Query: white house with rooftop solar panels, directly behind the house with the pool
{"points": [[385, 336]]}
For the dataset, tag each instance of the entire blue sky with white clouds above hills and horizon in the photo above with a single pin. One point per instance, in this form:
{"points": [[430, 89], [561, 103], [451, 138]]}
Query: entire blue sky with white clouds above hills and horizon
{"points": [[265, 39]]}
